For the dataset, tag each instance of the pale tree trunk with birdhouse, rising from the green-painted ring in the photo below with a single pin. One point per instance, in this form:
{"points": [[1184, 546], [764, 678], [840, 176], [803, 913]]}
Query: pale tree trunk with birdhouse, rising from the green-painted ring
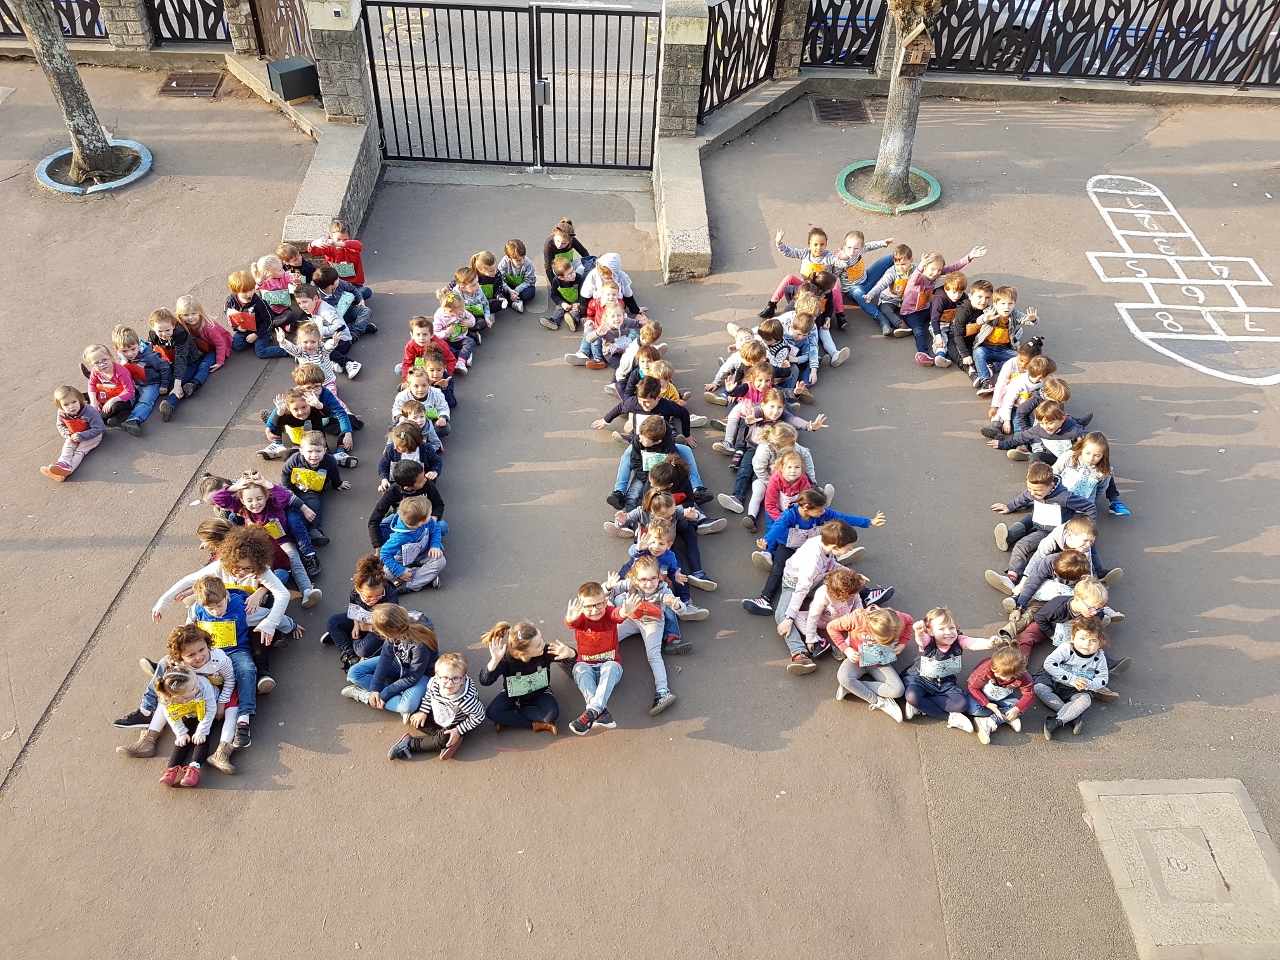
{"points": [[890, 184]]}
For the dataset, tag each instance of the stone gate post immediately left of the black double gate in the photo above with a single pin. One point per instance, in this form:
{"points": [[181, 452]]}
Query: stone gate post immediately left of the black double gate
{"points": [[342, 62]]}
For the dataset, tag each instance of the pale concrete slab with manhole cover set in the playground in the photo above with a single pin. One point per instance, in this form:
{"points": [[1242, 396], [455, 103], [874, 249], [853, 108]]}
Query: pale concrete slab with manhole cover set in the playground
{"points": [[1194, 866]]}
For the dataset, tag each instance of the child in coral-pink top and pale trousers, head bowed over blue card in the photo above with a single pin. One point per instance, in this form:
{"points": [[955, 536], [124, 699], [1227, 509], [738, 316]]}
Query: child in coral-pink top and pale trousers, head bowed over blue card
{"points": [[870, 641]]}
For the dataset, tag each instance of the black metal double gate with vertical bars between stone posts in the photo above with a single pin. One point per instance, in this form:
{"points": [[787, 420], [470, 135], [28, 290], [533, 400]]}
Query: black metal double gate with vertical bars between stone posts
{"points": [[529, 86]]}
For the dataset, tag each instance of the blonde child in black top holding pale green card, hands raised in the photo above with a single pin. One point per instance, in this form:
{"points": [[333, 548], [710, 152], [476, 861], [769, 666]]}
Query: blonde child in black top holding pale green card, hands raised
{"points": [[522, 659]]}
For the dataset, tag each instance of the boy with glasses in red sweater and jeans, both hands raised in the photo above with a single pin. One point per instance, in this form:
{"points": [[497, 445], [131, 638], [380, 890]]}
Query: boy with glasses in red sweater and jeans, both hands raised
{"points": [[598, 669]]}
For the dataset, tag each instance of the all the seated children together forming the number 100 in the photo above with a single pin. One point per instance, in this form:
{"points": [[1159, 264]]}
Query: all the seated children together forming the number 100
{"points": [[267, 534]]}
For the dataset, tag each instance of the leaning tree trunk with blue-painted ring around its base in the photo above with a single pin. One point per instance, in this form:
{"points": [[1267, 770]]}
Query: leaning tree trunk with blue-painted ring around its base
{"points": [[94, 159]]}
